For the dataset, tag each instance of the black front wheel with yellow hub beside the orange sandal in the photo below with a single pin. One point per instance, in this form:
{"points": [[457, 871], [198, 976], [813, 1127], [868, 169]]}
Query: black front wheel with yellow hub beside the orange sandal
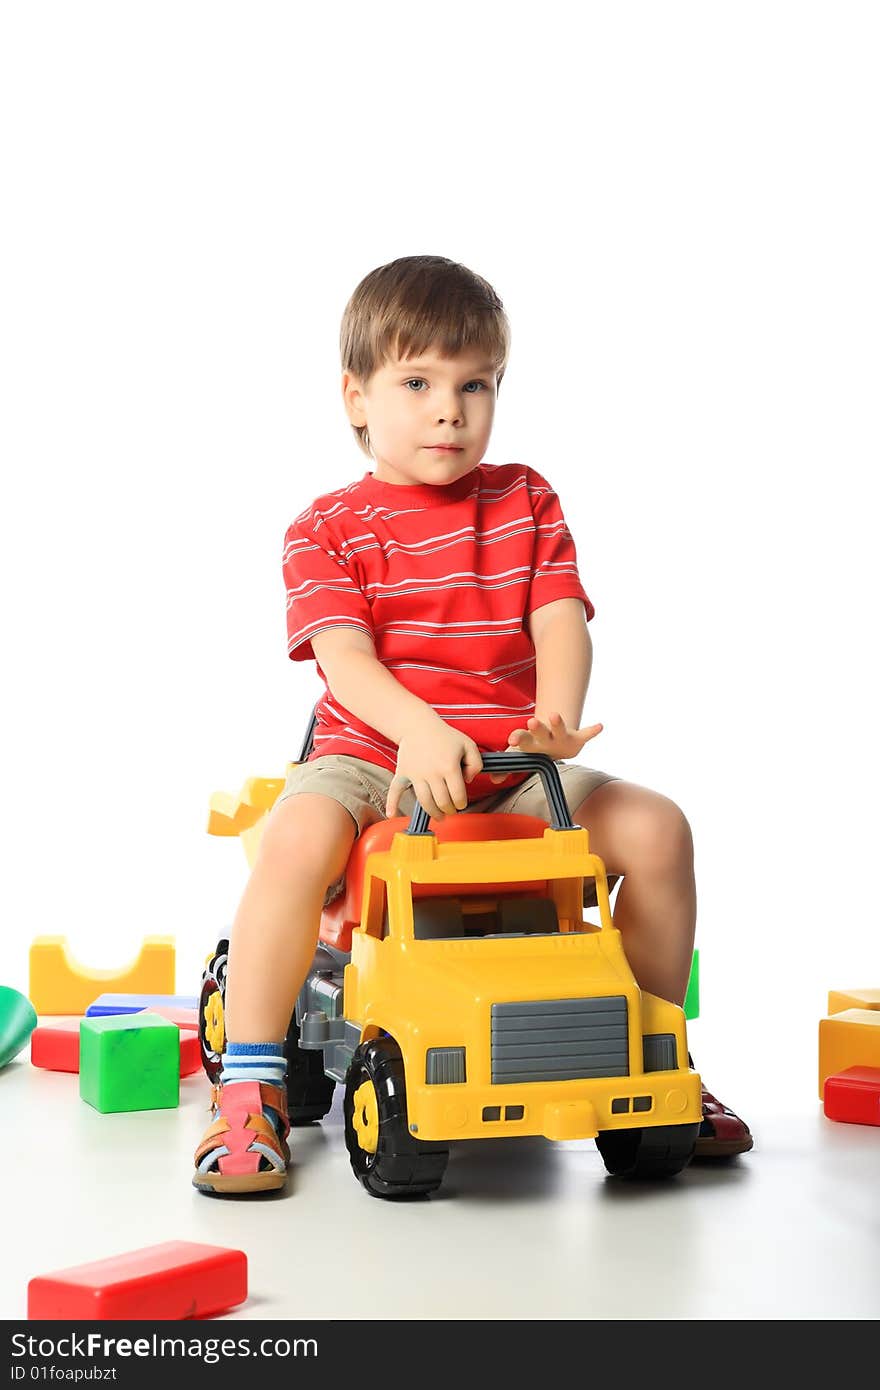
{"points": [[386, 1157]]}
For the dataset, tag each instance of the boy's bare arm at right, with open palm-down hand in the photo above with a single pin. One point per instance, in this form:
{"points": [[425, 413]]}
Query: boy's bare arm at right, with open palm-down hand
{"points": [[564, 662]]}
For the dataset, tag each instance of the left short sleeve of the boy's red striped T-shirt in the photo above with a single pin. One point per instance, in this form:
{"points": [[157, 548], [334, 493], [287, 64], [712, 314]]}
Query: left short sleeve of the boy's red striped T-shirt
{"points": [[320, 589]]}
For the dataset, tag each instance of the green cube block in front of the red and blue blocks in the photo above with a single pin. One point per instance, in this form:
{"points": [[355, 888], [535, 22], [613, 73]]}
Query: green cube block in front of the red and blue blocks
{"points": [[130, 1063]]}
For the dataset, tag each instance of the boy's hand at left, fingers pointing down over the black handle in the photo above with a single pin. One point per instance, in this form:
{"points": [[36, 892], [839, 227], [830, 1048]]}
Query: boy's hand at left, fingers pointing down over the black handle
{"points": [[436, 761]]}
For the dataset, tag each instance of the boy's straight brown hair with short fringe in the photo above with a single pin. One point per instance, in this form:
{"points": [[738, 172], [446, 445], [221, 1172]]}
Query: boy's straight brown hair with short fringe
{"points": [[419, 304]]}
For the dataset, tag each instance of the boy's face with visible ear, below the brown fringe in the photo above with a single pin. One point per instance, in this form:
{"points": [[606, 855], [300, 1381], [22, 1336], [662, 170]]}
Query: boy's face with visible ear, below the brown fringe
{"points": [[414, 407]]}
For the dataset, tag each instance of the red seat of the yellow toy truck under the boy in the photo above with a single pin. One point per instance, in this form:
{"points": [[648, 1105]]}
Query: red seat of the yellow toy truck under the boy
{"points": [[340, 919]]}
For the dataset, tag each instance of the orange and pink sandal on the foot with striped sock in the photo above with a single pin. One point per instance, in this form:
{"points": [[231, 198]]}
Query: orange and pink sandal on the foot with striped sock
{"points": [[241, 1150]]}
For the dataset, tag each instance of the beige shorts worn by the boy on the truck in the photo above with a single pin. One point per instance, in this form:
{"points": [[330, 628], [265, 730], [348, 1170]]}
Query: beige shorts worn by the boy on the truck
{"points": [[362, 789]]}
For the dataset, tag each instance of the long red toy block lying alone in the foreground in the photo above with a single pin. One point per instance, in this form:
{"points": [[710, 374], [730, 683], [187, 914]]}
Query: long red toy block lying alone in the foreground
{"points": [[176, 1281]]}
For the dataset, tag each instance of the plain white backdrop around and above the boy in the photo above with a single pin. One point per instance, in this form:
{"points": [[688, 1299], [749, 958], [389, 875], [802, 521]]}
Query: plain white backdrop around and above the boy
{"points": [[678, 205]]}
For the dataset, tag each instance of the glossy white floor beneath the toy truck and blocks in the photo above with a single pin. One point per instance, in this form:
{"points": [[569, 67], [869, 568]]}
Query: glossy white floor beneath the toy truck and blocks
{"points": [[521, 1229]]}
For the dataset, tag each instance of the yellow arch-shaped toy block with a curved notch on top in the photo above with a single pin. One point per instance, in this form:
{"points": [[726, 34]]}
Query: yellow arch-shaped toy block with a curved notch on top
{"points": [[60, 985]]}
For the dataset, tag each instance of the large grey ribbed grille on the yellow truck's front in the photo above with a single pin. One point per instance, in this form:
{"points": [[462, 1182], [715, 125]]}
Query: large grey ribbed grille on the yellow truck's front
{"points": [[560, 1040]]}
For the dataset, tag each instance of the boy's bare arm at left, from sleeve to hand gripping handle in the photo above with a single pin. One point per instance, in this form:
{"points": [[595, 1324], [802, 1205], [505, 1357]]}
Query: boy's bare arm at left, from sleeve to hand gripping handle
{"points": [[432, 755]]}
